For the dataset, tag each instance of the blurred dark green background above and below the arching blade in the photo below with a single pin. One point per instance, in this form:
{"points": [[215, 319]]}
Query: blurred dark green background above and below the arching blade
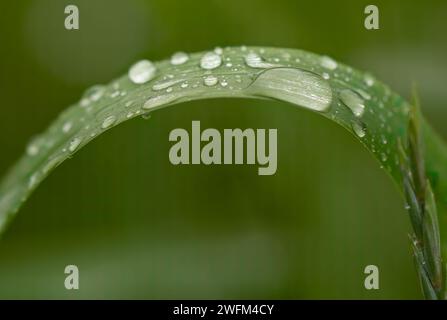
{"points": [[139, 227]]}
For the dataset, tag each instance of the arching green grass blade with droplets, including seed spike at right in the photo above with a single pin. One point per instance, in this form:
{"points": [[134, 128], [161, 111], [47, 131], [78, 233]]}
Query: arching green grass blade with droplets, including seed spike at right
{"points": [[394, 132]]}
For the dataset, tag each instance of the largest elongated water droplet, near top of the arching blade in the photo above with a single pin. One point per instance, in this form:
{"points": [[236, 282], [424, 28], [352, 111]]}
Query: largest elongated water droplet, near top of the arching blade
{"points": [[294, 85]]}
